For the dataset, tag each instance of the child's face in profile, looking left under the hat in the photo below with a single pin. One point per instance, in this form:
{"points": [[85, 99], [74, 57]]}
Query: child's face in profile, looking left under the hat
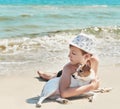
{"points": [[76, 56]]}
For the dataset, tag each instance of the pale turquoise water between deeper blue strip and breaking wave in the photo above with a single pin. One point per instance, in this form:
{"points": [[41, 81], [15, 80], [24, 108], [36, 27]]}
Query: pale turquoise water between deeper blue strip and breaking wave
{"points": [[22, 20]]}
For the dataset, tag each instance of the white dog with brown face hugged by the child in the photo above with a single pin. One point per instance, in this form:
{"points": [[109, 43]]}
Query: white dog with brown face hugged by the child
{"points": [[83, 75]]}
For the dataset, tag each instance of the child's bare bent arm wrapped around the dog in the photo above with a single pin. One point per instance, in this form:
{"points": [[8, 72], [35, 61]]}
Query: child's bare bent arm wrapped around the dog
{"points": [[65, 89]]}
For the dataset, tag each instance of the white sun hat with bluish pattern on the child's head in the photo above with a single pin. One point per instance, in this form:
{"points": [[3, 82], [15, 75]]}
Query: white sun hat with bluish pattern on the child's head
{"points": [[84, 42]]}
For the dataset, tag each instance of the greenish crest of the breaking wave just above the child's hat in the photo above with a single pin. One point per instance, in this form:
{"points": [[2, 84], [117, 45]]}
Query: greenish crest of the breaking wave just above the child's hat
{"points": [[99, 32]]}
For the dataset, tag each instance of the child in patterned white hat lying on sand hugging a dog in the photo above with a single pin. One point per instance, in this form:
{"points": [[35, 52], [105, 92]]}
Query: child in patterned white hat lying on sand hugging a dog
{"points": [[81, 52]]}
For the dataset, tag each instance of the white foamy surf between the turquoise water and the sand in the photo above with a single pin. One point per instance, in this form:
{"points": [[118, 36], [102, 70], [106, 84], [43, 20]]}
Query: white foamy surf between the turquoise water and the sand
{"points": [[53, 45]]}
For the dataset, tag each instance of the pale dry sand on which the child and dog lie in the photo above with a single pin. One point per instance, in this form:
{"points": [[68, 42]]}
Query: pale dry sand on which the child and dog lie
{"points": [[20, 91]]}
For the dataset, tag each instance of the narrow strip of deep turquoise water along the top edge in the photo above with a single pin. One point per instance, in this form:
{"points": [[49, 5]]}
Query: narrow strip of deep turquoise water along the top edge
{"points": [[62, 2]]}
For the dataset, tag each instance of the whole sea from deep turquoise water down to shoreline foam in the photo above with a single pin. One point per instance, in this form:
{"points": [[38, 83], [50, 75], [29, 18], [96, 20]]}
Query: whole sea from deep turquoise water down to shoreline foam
{"points": [[38, 31]]}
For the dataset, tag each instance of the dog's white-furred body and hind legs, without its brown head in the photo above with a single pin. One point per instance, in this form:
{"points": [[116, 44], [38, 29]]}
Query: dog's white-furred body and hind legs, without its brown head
{"points": [[51, 88]]}
